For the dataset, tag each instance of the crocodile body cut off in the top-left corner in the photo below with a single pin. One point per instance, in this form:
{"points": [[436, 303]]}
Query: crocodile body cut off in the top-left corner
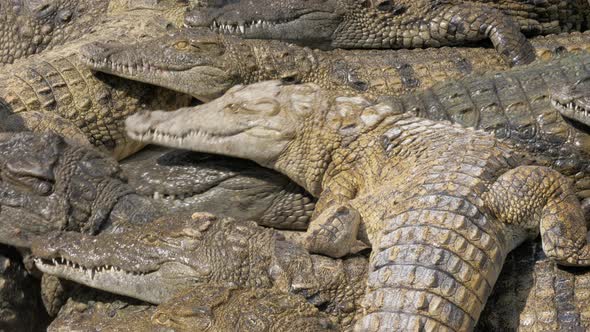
{"points": [[29, 27]]}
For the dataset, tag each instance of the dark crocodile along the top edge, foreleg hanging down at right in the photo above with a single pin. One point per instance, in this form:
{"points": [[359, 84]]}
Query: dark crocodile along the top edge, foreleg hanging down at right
{"points": [[364, 24]]}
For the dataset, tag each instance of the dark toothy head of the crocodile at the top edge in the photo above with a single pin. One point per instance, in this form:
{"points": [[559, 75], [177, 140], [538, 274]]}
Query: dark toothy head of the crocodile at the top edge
{"points": [[291, 20]]}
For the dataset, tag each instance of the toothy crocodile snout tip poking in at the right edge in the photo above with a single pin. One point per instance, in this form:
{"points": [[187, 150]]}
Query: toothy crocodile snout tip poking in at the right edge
{"points": [[573, 101]]}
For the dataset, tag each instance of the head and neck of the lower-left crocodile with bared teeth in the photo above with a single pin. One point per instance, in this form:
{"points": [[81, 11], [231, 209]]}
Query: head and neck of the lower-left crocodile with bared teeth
{"points": [[157, 260]]}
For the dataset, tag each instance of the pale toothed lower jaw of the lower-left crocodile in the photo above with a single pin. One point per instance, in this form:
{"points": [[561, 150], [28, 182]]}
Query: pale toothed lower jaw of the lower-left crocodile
{"points": [[154, 287]]}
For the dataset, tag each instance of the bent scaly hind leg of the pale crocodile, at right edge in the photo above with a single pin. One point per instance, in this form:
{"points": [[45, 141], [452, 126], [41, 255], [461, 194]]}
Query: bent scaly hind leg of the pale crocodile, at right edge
{"points": [[533, 196]]}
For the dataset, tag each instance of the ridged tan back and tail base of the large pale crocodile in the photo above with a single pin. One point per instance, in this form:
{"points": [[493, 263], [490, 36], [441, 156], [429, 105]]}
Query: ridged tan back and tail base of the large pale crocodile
{"points": [[437, 251]]}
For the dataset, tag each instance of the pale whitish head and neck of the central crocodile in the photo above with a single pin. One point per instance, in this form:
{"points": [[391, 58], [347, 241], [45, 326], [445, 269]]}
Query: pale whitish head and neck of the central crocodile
{"points": [[291, 128]]}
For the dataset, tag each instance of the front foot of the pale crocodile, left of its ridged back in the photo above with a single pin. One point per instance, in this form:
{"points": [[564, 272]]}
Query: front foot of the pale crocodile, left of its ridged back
{"points": [[334, 232]]}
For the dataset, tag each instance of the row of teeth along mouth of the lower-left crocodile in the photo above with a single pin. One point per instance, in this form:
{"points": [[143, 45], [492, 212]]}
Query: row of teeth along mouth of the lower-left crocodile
{"points": [[63, 266]]}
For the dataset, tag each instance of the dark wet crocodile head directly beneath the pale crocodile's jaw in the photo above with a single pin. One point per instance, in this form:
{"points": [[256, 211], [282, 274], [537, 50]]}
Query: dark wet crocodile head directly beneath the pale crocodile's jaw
{"points": [[185, 181]]}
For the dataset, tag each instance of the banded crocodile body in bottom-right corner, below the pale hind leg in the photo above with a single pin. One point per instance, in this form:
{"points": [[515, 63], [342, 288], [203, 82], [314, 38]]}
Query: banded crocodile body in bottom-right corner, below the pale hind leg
{"points": [[534, 294]]}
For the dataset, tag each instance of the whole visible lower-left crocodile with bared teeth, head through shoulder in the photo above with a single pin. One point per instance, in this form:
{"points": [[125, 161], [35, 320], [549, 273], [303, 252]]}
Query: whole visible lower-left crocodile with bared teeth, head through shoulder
{"points": [[180, 251]]}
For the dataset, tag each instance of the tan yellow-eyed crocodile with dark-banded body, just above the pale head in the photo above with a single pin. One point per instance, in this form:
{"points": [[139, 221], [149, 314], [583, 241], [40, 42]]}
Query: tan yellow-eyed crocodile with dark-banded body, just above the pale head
{"points": [[205, 65]]}
